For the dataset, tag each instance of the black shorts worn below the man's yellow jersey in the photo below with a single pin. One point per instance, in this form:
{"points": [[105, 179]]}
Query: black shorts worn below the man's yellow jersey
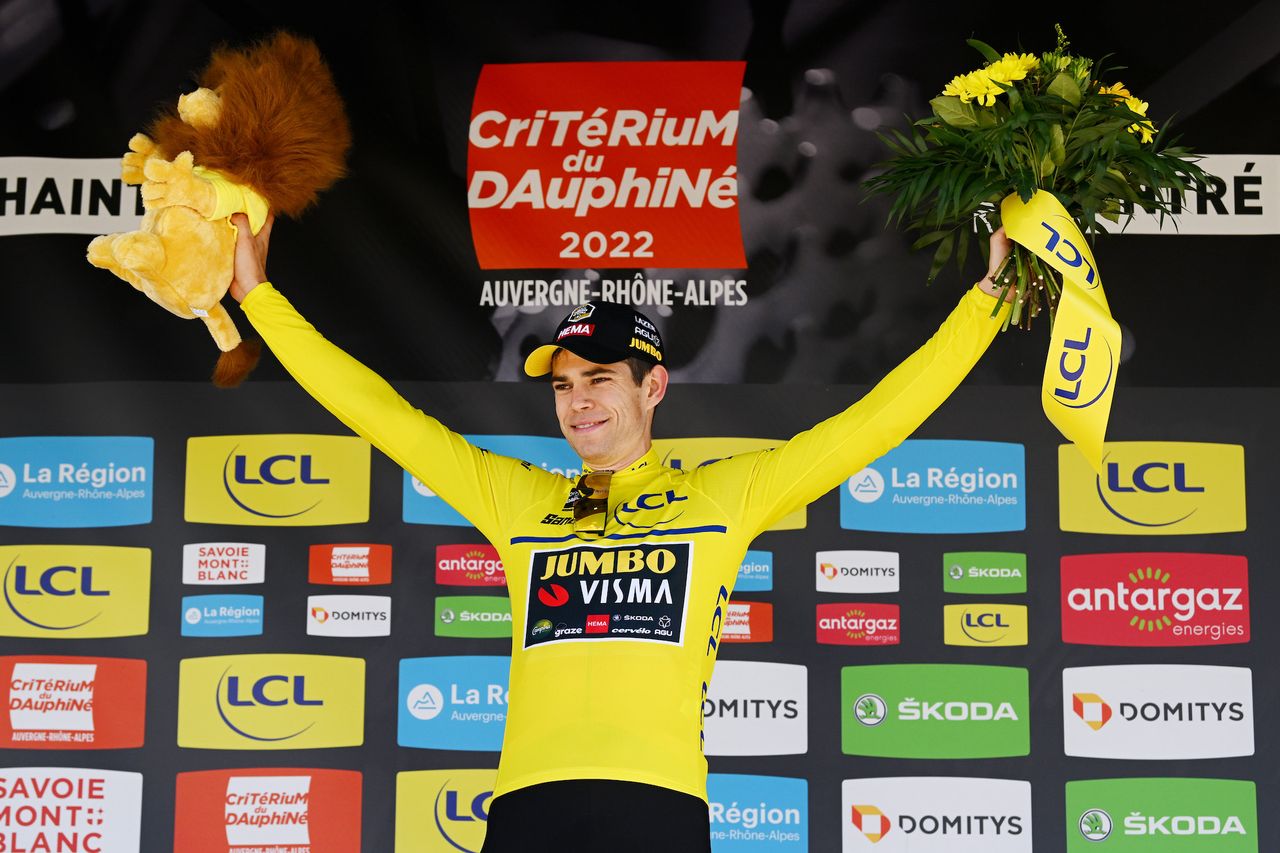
{"points": [[597, 816]]}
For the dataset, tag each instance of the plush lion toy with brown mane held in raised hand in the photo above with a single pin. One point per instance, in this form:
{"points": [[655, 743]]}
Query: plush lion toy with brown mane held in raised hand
{"points": [[266, 133]]}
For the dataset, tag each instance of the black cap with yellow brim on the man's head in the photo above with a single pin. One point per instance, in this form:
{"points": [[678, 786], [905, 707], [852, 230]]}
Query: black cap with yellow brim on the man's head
{"points": [[600, 332]]}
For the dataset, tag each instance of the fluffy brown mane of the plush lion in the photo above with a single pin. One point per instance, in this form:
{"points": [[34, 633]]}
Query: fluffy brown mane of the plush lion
{"points": [[282, 129]]}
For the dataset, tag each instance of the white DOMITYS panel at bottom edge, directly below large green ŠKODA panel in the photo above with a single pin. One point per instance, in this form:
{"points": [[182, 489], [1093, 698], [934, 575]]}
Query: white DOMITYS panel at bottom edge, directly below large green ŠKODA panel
{"points": [[936, 815]]}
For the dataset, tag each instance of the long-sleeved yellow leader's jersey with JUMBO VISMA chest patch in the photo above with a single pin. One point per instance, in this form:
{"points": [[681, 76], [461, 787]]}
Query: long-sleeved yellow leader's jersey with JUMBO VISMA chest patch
{"points": [[614, 641]]}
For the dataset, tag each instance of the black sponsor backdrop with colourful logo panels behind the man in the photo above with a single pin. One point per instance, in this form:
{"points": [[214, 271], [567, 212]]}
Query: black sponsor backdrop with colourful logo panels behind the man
{"points": [[228, 626]]}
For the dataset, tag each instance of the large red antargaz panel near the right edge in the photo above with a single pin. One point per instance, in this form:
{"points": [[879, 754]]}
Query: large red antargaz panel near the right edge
{"points": [[1155, 600]]}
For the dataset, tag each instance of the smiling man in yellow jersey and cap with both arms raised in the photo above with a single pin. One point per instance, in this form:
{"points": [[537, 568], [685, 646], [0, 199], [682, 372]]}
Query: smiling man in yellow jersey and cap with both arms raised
{"points": [[618, 581]]}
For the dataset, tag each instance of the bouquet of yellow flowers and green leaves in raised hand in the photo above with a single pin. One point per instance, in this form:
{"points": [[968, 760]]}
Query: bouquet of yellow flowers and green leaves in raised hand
{"points": [[1020, 125]]}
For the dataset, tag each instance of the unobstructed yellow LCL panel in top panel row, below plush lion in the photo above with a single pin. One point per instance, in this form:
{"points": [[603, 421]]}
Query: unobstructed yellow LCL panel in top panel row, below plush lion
{"points": [[277, 481]]}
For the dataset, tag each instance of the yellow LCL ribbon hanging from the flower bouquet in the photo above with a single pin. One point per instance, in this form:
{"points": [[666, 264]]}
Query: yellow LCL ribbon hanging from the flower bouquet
{"points": [[1085, 349]]}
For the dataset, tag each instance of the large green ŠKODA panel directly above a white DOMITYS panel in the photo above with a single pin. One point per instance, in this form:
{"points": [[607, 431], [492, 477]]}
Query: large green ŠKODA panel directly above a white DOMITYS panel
{"points": [[935, 711]]}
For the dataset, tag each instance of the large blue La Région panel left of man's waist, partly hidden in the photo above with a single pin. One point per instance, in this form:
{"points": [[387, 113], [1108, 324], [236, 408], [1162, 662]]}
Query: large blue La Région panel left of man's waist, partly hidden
{"points": [[454, 703]]}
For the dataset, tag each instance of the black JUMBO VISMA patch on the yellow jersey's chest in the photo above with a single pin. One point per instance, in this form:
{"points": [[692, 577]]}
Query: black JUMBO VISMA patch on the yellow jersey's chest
{"points": [[637, 594]]}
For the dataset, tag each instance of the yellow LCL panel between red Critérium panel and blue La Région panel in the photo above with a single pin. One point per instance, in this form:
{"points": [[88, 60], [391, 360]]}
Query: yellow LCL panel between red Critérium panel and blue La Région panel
{"points": [[271, 703]]}
